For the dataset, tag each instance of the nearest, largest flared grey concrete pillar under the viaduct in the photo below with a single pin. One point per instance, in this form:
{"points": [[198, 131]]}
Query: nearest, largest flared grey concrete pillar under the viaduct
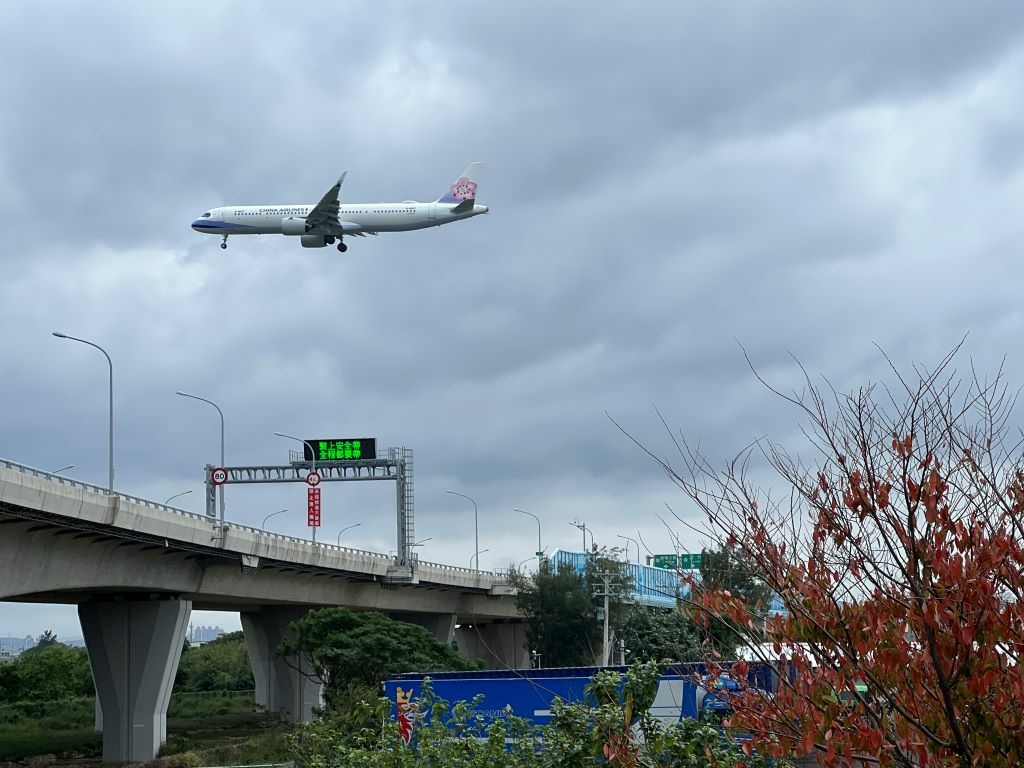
{"points": [[135, 648]]}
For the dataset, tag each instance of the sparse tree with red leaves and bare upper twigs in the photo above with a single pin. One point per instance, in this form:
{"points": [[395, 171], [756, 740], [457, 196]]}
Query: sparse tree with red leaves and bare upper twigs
{"points": [[898, 551]]}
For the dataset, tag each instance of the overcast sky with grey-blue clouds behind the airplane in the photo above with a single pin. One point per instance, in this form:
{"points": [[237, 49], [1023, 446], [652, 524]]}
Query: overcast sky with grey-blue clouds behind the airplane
{"points": [[667, 182]]}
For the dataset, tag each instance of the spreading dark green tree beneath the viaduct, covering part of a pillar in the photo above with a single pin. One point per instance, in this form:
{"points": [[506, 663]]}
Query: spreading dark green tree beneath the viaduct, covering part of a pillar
{"points": [[346, 648]]}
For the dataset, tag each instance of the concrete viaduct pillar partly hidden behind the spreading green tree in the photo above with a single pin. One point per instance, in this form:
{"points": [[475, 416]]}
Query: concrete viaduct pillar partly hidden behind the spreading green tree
{"points": [[282, 686]]}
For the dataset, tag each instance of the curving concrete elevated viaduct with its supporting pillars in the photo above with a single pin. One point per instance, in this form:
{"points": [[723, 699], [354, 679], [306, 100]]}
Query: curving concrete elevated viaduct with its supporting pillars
{"points": [[137, 569]]}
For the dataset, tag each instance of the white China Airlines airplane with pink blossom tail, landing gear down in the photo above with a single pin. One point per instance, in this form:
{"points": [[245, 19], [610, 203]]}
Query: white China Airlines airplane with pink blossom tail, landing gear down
{"points": [[328, 222]]}
